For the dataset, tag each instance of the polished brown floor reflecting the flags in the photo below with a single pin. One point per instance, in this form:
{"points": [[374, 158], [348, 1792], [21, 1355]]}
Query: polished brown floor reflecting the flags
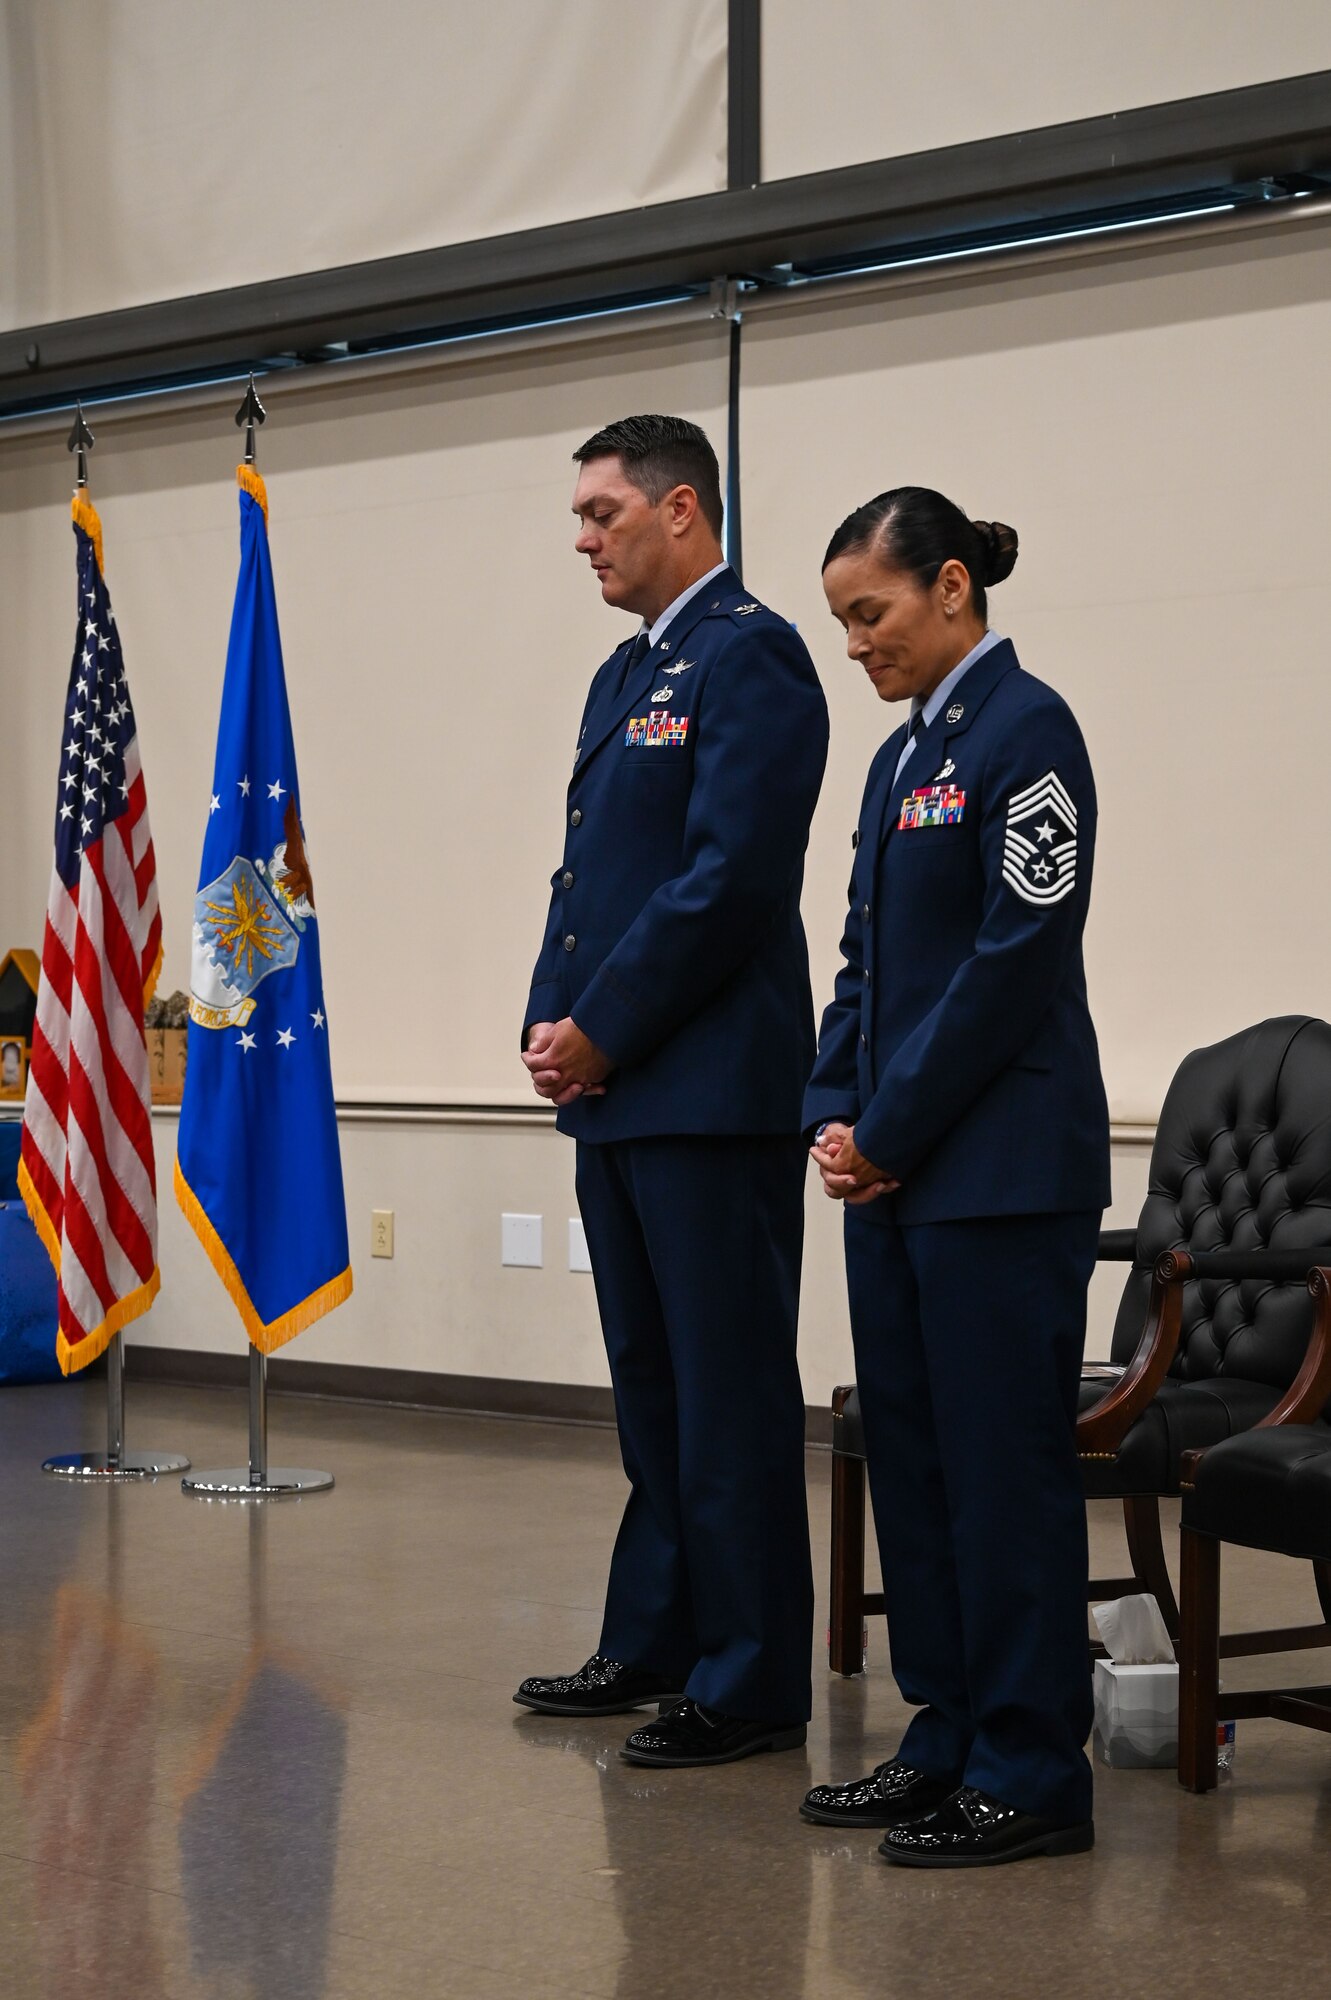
{"points": [[271, 1751]]}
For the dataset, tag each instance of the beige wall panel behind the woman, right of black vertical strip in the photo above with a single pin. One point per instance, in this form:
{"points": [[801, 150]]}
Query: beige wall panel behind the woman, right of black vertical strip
{"points": [[1152, 427]]}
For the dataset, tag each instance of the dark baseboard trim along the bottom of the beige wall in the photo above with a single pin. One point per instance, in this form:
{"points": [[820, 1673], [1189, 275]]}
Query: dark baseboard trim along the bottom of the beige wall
{"points": [[405, 1389]]}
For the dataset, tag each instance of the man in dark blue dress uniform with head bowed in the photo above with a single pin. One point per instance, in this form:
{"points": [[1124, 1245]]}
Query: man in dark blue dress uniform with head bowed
{"points": [[672, 1023]]}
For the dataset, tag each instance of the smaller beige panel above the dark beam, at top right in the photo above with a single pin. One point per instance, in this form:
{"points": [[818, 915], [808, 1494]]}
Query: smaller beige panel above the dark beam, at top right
{"points": [[866, 83]]}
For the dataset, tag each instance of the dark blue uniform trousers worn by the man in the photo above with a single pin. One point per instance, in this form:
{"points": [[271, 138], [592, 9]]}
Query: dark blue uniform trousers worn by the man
{"points": [[696, 1249]]}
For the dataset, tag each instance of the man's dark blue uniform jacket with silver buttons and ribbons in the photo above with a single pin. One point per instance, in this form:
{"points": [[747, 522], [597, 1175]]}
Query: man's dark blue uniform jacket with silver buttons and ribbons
{"points": [[674, 933]]}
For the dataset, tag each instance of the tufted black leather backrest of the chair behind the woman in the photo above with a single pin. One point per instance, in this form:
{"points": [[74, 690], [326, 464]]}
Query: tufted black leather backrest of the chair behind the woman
{"points": [[1242, 1163]]}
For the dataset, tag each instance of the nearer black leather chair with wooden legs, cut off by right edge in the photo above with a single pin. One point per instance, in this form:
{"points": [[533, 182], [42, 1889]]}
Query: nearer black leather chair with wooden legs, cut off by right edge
{"points": [[1270, 1489]]}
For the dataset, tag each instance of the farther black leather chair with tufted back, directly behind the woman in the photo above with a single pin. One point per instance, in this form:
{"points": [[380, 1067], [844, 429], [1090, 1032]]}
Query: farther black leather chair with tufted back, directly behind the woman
{"points": [[1214, 1323]]}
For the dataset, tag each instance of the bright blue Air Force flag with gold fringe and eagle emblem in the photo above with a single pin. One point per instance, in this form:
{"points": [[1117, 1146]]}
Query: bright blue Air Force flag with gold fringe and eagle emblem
{"points": [[259, 1171]]}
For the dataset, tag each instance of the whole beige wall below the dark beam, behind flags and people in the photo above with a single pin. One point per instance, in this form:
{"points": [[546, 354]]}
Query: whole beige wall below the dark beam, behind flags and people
{"points": [[1152, 427]]}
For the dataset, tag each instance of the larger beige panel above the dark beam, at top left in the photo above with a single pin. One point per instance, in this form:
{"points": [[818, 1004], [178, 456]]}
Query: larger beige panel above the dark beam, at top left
{"points": [[155, 151]]}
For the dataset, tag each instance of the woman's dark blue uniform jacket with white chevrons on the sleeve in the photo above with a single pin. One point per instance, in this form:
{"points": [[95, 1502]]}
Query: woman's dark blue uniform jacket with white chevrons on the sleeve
{"points": [[960, 1043]]}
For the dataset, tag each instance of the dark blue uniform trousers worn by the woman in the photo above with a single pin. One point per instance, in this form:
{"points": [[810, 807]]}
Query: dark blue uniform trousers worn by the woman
{"points": [[968, 1353]]}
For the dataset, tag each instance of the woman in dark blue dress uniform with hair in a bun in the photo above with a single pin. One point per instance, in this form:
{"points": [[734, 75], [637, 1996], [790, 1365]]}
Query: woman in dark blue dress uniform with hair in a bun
{"points": [[960, 1115]]}
